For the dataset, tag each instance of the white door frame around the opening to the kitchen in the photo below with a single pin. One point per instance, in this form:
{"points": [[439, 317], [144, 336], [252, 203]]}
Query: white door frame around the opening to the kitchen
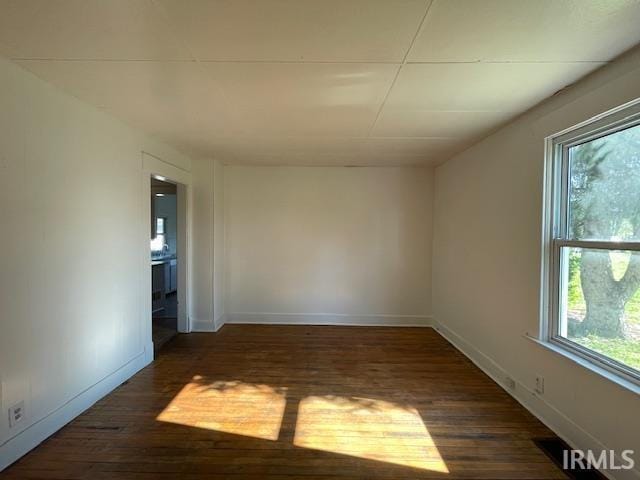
{"points": [[153, 166]]}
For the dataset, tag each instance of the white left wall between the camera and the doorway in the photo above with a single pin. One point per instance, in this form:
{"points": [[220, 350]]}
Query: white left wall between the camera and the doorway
{"points": [[72, 250]]}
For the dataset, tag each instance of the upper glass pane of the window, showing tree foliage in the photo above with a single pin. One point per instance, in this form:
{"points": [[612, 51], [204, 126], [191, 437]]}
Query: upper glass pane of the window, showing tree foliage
{"points": [[604, 197]]}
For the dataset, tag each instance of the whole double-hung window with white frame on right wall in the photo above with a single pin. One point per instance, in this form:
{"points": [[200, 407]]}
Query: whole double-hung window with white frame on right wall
{"points": [[592, 247]]}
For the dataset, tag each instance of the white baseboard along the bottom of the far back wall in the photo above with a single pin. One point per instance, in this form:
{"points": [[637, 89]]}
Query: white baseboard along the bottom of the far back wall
{"points": [[329, 319]]}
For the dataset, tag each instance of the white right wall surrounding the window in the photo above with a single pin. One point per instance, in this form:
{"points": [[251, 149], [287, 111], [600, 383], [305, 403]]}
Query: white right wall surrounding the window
{"points": [[487, 256]]}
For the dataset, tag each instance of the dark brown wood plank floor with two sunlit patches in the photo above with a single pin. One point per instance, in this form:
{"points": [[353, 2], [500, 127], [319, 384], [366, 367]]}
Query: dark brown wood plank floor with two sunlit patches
{"points": [[280, 402]]}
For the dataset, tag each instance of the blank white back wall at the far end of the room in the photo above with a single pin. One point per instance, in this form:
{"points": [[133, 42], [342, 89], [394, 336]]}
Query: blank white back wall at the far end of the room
{"points": [[304, 241]]}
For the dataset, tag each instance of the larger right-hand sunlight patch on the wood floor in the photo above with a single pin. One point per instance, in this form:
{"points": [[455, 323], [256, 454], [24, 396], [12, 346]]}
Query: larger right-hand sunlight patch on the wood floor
{"points": [[366, 428]]}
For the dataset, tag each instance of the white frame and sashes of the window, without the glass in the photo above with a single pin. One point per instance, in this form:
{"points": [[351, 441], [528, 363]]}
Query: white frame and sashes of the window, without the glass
{"points": [[556, 231]]}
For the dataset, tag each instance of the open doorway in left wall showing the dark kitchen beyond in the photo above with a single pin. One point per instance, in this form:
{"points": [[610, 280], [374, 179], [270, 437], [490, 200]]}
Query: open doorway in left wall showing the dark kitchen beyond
{"points": [[164, 260]]}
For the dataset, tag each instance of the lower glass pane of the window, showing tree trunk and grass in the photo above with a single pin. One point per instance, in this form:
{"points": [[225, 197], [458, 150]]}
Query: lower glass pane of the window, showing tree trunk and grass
{"points": [[600, 302]]}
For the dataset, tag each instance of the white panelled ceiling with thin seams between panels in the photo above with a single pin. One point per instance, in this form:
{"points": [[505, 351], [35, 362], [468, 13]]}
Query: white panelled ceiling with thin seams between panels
{"points": [[316, 82]]}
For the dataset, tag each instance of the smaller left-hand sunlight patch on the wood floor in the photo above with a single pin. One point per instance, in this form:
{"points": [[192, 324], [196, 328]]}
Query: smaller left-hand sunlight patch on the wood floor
{"points": [[233, 407]]}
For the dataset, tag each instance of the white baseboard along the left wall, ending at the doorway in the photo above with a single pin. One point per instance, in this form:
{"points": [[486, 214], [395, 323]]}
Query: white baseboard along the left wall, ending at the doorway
{"points": [[32, 436]]}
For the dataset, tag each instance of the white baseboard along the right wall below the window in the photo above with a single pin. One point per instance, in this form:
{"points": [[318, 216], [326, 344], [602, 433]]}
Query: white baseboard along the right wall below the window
{"points": [[553, 418]]}
